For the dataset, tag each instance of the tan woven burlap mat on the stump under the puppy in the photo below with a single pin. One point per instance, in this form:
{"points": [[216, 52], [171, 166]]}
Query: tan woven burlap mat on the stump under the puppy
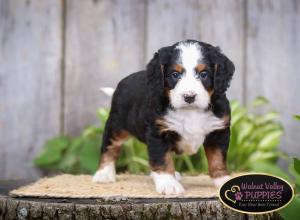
{"points": [[129, 186]]}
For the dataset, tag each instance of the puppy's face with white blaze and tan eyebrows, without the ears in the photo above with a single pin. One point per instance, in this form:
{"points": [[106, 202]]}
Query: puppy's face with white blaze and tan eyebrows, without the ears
{"points": [[188, 77]]}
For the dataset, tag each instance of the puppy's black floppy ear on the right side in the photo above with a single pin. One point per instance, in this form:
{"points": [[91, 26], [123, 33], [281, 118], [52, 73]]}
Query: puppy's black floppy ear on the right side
{"points": [[223, 70]]}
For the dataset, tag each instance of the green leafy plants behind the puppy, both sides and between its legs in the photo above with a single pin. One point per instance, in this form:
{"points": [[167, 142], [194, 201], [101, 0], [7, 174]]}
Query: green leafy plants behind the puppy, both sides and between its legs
{"points": [[253, 146]]}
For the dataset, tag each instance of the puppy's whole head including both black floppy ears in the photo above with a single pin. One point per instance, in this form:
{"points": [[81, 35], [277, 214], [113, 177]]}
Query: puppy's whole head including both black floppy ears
{"points": [[189, 73]]}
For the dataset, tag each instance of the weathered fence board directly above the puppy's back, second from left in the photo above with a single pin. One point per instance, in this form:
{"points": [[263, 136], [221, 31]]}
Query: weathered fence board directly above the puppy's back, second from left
{"points": [[104, 43]]}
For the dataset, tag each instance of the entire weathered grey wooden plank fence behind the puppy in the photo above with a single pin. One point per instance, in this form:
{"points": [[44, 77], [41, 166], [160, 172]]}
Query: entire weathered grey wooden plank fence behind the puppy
{"points": [[56, 54]]}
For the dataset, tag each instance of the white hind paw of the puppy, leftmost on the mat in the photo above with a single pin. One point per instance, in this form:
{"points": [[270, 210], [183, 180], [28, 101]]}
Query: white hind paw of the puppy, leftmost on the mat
{"points": [[107, 174]]}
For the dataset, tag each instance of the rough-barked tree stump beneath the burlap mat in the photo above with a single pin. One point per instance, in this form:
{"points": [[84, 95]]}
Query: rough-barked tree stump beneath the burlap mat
{"points": [[137, 208]]}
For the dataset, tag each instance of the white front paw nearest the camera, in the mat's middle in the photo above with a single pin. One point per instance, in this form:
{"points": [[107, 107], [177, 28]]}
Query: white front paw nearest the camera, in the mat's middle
{"points": [[166, 184]]}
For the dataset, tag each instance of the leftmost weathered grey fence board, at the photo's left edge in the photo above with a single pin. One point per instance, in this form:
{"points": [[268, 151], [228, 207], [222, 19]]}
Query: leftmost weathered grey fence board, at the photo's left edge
{"points": [[30, 60]]}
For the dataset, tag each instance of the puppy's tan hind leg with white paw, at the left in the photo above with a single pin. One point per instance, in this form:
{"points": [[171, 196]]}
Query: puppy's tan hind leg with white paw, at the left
{"points": [[110, 150]]}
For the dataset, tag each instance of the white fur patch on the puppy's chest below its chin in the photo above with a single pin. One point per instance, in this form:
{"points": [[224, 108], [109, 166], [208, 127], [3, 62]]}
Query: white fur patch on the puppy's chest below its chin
{"points": [[192, 126]]}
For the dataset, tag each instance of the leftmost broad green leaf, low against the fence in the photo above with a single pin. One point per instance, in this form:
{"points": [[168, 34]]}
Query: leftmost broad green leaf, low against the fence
{"points": [[52, 151]]}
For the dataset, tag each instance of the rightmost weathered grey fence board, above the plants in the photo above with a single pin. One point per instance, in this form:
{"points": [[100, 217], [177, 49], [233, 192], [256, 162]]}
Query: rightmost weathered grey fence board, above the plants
{"points": [[273, 48]]}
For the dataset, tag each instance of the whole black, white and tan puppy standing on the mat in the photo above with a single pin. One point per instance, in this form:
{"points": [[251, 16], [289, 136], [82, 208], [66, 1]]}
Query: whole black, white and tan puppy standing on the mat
{"points": [[177, 104]]}
